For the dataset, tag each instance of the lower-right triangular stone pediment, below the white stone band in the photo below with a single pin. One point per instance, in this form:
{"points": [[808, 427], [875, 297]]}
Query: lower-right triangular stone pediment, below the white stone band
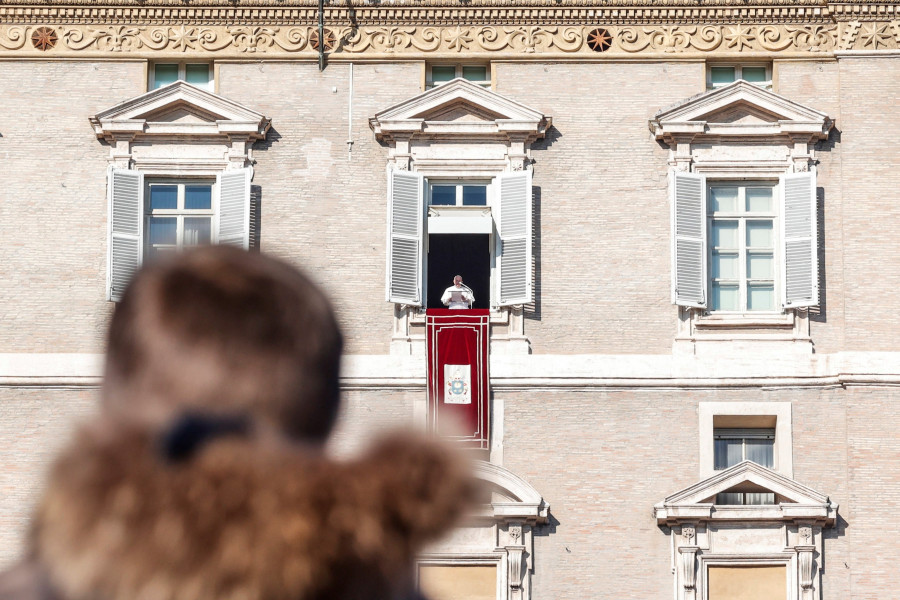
{"points": [[697, 500]]}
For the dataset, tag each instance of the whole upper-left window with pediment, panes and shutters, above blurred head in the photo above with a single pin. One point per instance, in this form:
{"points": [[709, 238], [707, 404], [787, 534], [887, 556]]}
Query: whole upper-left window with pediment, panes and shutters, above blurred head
{"points": [[179, 175]]}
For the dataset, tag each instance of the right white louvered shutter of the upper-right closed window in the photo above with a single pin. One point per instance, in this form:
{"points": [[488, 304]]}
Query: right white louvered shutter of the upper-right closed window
{"points": [[798, 240]]}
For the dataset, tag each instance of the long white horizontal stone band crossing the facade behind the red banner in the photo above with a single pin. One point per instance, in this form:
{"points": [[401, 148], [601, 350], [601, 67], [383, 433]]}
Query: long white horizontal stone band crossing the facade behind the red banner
{"points": [[536, 371]]}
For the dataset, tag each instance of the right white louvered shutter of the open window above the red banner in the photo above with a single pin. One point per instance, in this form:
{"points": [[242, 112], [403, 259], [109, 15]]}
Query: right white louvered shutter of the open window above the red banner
{"points": [[514, 227]]}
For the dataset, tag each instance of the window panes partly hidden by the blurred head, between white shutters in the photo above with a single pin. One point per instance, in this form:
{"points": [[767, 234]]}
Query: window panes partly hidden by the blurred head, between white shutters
{"points": [[179, 215]]}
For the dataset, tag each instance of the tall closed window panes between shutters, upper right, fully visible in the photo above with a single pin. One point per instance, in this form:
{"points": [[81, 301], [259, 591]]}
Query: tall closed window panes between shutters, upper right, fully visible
{"points": [[742, 246]]}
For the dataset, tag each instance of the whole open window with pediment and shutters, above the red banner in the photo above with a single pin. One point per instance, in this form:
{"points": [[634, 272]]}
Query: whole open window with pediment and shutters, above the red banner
{"points": [[459, 199]]}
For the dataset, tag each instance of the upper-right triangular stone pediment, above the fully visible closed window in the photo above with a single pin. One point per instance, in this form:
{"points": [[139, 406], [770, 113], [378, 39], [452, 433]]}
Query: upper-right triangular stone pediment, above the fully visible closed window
{"points": [[739, 109]]}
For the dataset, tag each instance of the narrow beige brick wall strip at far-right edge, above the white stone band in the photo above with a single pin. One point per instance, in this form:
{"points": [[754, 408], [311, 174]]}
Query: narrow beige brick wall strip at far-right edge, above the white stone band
{"points": [[869, 151]]}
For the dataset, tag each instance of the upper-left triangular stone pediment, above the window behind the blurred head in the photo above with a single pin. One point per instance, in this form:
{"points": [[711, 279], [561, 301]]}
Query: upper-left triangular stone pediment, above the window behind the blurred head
{"points": [[180, 108]]}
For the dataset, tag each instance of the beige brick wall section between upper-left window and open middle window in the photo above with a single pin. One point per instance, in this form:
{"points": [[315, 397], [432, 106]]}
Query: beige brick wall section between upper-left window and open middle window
{"points": [[320, 208]]}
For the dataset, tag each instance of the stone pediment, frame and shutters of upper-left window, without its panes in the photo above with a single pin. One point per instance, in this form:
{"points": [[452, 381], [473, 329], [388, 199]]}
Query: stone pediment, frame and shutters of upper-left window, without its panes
{"points": [[149, 138]]}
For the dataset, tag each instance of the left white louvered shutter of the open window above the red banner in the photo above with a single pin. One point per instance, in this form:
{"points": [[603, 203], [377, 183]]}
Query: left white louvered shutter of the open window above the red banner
{"points": [[405, 225]]}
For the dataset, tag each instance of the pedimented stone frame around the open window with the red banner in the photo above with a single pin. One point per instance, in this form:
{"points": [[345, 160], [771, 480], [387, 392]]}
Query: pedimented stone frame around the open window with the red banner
{"points": [[508, 127]]}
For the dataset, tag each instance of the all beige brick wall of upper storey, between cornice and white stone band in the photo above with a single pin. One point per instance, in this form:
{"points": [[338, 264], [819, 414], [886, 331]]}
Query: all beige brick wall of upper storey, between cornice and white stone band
{"points": [[603, 268]]}
